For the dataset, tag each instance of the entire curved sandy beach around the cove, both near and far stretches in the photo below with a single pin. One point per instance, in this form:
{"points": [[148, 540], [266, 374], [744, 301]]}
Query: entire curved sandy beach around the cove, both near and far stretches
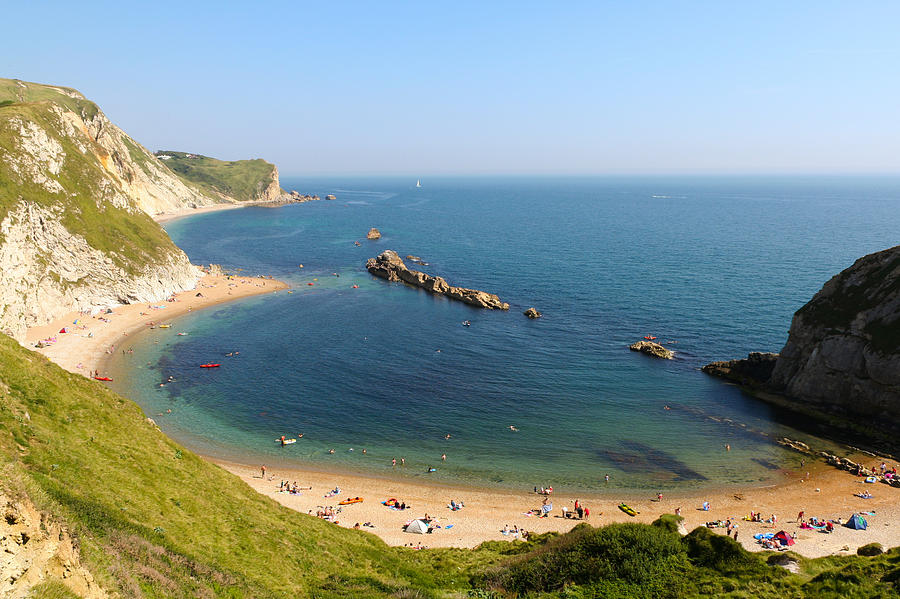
{"points": [[829, 494]]}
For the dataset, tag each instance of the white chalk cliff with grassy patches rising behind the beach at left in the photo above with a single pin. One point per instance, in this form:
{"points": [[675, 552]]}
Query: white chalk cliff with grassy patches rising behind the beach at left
{"points": [[74, 196]]}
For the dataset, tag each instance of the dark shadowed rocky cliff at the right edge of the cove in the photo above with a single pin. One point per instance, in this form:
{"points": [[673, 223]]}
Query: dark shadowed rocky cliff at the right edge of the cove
{"points": [[843, 351]]}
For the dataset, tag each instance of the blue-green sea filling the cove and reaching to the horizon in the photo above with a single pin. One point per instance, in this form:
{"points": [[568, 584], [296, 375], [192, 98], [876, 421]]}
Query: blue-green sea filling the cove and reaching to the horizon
{"points": [[715, 265]]}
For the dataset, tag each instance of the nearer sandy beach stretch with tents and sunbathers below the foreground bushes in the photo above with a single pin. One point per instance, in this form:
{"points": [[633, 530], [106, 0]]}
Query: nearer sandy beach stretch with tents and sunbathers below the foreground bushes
{"points": [[827, 493]]}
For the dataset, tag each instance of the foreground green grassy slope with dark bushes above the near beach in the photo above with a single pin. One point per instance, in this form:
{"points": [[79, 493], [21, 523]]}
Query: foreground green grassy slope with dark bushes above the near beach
{"points": [[154, 520]]}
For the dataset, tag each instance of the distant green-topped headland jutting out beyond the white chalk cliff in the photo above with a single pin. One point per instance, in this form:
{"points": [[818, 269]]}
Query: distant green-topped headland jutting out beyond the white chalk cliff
{"points": [[242, 180]]}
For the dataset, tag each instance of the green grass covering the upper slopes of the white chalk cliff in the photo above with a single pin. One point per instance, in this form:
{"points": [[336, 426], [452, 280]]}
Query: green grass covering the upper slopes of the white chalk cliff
{"points": [[130, 238]]}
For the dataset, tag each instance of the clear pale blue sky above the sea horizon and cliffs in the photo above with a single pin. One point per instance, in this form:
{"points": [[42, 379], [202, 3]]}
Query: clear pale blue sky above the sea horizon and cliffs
{"points": [[461, 87]]}
